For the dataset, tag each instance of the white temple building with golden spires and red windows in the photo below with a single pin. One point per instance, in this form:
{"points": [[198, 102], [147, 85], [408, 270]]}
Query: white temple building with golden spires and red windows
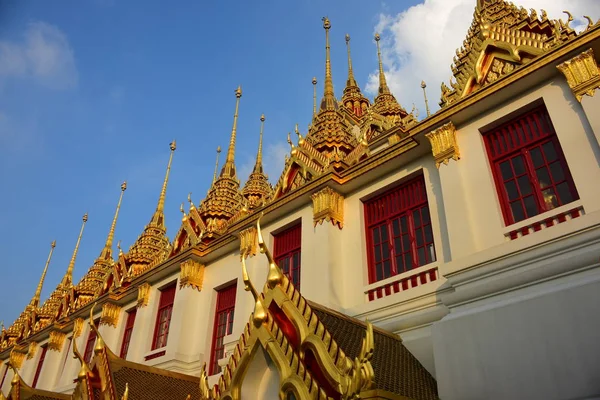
{"points": [[454, 257]]}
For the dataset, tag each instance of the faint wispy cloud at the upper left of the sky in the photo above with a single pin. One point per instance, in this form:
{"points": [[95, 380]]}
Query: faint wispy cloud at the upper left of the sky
{"points": [[44, 54]]}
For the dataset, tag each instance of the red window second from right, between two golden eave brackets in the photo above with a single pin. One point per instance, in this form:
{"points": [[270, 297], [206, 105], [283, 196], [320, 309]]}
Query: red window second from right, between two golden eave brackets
{"points": [[399, 234]]}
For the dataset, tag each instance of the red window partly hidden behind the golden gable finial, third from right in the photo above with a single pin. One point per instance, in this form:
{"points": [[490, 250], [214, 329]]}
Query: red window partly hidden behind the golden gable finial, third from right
{"points": [[287, 248]]}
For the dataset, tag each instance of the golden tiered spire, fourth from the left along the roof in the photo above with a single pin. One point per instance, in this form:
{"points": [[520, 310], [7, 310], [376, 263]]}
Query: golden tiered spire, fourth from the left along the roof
{"points": [[152, 246]]}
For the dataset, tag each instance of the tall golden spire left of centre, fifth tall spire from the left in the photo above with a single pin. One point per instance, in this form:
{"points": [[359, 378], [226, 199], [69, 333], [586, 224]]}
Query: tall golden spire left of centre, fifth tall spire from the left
{"points": [[224, 198]]}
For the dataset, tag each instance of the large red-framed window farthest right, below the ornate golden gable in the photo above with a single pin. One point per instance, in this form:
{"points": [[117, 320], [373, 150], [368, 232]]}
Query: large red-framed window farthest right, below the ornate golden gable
{"points": [[529, 167]]}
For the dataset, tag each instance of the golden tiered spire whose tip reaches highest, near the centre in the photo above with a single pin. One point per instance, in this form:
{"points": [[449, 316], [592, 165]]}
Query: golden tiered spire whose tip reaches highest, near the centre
{"points": [[330, 134]]}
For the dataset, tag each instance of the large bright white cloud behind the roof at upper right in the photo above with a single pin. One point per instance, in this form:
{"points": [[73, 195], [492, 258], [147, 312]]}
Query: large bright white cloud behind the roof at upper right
{"points": [[420, 43]]}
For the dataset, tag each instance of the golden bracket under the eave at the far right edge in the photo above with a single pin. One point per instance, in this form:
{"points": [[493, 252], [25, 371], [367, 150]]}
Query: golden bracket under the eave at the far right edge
{"points": [[582, 74]]}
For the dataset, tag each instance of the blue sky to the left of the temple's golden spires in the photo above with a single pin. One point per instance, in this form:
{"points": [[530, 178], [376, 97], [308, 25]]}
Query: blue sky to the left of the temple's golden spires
{"points": [[93, 91]]}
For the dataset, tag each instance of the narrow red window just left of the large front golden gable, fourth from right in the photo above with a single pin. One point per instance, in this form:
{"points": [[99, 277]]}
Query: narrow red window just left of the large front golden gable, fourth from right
{"points": [[223, 325]]}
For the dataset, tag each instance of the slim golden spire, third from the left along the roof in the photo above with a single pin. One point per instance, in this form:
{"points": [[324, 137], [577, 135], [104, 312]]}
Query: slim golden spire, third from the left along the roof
{"points": [[91, 284]]}
